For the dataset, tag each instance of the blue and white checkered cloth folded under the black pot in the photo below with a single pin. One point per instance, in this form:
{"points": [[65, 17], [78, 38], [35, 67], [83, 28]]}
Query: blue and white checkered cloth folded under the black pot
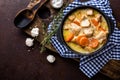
{"points": [[90, 65]]}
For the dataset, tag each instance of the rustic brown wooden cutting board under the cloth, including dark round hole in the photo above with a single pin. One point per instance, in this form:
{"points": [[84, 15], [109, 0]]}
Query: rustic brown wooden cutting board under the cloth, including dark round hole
{"points": [[45, 15]]}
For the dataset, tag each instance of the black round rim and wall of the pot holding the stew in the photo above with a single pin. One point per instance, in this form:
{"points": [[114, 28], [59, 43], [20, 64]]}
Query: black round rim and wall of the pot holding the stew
{"points": [[60, 30]]}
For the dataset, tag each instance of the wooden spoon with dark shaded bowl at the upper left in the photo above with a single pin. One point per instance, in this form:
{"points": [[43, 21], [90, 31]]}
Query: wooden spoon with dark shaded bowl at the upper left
{"points": [[25, 16]]}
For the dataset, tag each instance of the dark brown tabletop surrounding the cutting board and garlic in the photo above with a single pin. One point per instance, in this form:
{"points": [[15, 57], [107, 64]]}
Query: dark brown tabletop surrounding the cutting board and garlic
{"points": [[18, 62]]}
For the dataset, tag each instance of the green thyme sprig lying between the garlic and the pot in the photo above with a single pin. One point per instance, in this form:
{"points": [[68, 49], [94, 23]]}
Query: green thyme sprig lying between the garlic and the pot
{"points": [[54, 28]]}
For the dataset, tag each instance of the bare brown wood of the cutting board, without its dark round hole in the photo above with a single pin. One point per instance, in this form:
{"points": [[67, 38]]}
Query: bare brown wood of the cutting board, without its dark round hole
{"points": [[111, 69]]}
